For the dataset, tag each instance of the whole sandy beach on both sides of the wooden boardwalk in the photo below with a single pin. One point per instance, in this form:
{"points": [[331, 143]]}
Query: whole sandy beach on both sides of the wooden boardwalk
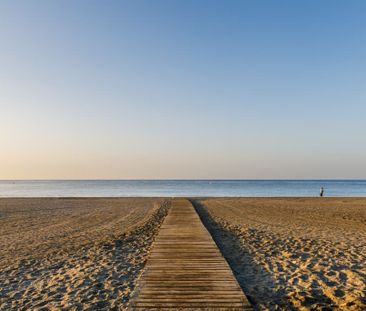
{"points": [[85, 253]]}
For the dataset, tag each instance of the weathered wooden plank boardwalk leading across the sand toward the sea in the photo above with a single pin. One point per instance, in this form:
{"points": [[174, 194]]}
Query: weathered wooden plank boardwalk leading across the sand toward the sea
{"points": [[186, 269]]}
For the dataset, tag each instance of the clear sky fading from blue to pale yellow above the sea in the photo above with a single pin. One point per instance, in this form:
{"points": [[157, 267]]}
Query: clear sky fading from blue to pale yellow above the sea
{"points": [[182, 89]]}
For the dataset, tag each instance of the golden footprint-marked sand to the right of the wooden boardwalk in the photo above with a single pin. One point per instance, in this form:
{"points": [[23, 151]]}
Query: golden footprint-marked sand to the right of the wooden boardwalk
{"points": [[293, 254]]}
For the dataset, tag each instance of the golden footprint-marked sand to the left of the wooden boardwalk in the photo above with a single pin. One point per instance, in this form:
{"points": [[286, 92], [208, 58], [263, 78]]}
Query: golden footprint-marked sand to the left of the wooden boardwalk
{"points": [[74, 254]]}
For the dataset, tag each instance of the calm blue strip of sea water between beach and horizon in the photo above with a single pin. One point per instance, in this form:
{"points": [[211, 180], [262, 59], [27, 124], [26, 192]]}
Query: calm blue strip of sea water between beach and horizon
{"points": [[127, 188]]}
